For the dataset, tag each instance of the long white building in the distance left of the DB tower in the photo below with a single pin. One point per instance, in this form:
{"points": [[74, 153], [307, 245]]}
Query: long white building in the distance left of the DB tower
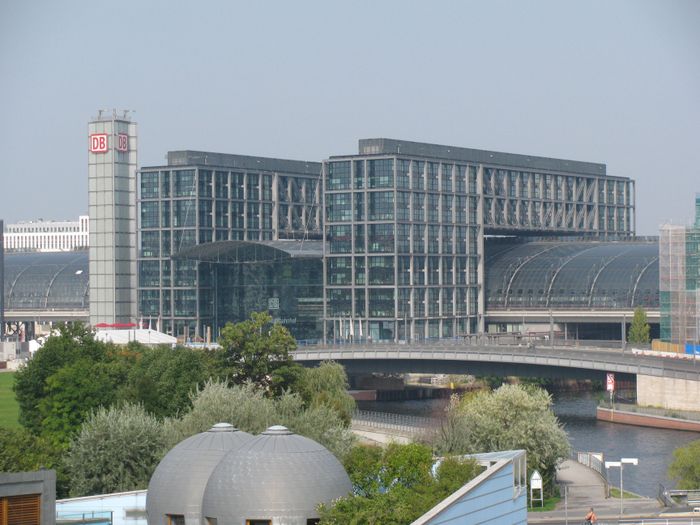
{"points": [[47, 236]]}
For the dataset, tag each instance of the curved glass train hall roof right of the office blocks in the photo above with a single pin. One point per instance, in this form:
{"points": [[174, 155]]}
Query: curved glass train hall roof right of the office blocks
{"points": [[572, 275]]}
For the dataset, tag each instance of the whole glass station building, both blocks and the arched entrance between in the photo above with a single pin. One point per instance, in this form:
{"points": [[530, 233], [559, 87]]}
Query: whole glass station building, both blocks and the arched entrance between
{"points": [[387, 244]]}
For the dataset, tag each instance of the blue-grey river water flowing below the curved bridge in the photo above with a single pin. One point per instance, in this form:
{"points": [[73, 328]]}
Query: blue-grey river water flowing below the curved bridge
{"points": [[654, 447]]}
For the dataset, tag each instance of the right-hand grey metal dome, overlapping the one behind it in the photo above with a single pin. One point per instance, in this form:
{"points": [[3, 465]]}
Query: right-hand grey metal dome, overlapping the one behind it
{"points": [[276, 474]]}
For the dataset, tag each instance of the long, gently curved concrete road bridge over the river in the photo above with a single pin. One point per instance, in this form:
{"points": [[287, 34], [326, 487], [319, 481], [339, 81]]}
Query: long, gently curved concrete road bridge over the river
{"points": [[661, 381]]}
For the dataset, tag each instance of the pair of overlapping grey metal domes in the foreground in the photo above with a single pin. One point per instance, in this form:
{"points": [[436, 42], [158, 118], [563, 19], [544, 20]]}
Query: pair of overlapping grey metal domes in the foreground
{"points": [[228, 476]]}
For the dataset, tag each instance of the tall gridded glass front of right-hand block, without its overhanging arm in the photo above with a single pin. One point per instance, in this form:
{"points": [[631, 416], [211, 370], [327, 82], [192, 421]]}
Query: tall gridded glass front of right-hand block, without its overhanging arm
{"points": [[411, 218]]}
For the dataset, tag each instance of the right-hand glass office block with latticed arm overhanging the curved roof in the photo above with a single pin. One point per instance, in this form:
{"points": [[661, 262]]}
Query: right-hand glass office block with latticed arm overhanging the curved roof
{"points": [[405, 224]]}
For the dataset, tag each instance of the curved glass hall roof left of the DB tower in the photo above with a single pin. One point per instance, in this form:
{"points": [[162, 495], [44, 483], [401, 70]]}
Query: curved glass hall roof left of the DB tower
{"points": [[47, 281]]}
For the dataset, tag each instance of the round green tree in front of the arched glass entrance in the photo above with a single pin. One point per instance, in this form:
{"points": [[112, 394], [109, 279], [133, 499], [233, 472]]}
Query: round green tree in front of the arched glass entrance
{"points": [[258, 351]]}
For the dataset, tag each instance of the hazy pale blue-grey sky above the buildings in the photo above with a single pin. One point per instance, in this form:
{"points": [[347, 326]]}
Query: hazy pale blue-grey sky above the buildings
{"points": [[606, 81]]}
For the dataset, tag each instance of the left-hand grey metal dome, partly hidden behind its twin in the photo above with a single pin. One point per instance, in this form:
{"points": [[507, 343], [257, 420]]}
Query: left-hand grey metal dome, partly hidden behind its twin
{"points": [[178, 483]]}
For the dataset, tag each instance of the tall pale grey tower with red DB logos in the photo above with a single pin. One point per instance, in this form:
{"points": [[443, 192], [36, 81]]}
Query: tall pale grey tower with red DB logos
{"points": [[112, 210]]}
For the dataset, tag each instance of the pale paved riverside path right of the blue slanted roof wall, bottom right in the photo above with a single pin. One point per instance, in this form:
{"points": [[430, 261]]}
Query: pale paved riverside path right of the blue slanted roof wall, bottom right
{"points": [[585, 488]]}
